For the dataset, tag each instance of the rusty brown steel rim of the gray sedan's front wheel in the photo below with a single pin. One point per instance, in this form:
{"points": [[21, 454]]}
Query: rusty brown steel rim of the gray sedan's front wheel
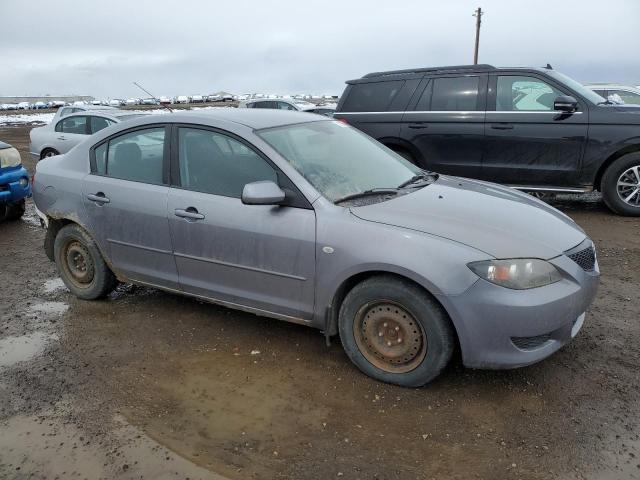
{"points": [[389, 336]]}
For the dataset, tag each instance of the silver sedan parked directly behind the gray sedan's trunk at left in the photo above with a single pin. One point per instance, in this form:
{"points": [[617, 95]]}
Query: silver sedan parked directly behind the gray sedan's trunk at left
{"points": [[65, 132]]}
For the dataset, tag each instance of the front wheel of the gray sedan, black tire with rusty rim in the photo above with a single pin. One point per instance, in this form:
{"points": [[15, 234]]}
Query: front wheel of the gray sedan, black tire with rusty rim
{"points": [[395, 332]]}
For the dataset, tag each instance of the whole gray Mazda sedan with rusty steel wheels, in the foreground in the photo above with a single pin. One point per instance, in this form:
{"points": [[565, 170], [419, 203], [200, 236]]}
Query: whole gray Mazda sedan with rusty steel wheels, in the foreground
{"points": [[302, 218]]}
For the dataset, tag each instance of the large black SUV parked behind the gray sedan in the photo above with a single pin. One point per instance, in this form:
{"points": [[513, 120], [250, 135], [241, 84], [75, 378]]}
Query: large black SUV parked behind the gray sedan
{"points": [[532, 128]]}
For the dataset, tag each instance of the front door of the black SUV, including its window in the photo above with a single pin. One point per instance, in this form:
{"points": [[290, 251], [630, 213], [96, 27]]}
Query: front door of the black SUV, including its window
{"points": [[527, 142]]}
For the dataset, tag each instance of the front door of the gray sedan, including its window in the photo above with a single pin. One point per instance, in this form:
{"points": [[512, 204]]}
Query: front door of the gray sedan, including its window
{"points": [[258, 256]]}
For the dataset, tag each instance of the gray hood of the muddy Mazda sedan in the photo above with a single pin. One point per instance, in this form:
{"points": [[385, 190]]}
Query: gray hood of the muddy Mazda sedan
{"points": [[497, 220]]}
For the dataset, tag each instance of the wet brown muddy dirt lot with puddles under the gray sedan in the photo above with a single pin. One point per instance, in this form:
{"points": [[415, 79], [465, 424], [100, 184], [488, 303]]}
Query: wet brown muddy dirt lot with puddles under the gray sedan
{"points": [[150, 385]]}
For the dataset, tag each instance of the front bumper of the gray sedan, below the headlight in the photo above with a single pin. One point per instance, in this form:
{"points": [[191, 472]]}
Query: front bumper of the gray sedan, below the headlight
{"points": [[502, 328]]}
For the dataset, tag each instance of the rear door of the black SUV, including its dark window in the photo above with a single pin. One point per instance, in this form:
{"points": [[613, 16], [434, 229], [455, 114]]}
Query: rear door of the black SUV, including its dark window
{"points": [[445, 124]]}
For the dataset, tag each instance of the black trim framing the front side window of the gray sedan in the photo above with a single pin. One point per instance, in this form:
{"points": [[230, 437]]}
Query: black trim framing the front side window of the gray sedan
{"points": [[294, 198]]}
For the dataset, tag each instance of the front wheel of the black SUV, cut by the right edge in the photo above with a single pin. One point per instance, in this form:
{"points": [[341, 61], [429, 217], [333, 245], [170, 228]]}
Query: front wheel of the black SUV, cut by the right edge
{"points": [[621, 185]]}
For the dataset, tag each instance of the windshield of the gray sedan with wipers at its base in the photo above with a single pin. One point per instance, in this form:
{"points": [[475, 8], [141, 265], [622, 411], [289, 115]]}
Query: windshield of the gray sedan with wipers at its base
{"points": [[337, 159]]}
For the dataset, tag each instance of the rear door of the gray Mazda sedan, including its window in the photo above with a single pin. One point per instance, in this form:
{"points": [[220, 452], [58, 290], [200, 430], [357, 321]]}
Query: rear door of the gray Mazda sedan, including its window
{"points": [[125, 196]]}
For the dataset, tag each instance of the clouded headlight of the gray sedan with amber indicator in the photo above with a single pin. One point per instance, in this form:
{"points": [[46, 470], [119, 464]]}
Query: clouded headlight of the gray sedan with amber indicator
{"points": [[518, 273]]}
